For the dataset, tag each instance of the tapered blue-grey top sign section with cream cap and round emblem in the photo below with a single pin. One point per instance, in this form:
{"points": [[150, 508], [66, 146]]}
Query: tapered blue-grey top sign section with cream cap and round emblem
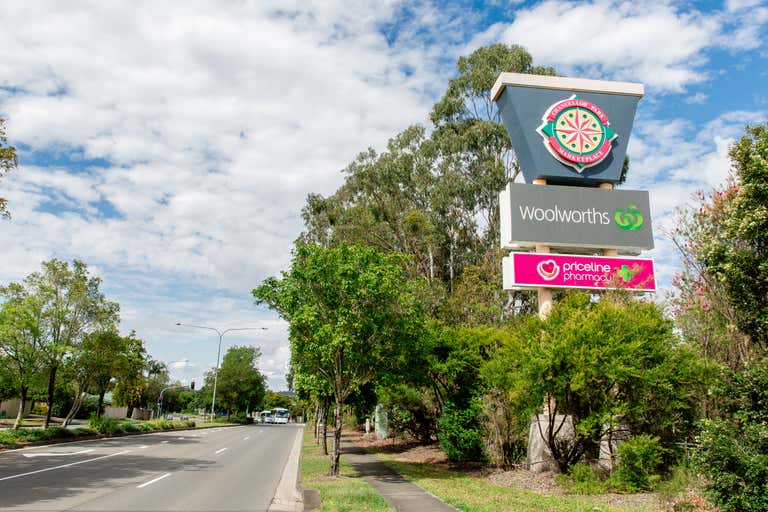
{"points": [[567, 130]]}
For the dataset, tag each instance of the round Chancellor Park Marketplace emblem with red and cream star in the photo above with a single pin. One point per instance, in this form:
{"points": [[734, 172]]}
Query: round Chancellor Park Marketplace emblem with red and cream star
{"points": [[577, 133]]}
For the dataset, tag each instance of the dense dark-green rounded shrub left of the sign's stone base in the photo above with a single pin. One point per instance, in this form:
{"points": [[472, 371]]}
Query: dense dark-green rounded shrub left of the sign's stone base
{"points": [[460, 433]]}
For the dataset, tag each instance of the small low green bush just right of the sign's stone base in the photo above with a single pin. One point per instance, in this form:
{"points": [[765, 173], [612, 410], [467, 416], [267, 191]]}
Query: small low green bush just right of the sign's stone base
{"points": [[639, 461]]}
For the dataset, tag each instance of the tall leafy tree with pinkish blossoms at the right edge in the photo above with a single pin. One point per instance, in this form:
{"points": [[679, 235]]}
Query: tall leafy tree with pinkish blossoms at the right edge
{"points": [[720, 302]]}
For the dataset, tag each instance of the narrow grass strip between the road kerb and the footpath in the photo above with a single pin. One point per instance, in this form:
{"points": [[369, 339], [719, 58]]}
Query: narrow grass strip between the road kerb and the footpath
{"points": [[346, 493]]}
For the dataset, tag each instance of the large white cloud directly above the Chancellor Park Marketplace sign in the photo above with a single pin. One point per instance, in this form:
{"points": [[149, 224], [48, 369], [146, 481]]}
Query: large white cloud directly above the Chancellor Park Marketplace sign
{"points": [[651, 42]]}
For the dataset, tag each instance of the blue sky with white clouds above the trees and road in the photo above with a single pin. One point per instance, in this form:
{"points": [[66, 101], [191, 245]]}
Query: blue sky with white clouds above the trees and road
{"points": [[171, 145]]}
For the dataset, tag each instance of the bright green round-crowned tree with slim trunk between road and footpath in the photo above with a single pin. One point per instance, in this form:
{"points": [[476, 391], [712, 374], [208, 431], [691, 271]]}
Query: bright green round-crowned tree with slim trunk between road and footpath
{"points": [[351, 311]]}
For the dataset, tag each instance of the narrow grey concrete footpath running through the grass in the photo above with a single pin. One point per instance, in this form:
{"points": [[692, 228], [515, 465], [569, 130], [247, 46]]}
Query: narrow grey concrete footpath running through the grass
{"points": [[401, 494]]}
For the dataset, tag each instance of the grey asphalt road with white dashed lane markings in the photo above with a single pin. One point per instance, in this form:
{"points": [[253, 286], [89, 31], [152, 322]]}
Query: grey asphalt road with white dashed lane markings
{"points": [[220, 469]]}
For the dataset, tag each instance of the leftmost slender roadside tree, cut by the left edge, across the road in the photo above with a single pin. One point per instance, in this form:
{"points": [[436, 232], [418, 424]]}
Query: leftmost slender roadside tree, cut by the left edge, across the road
{"points": [[21, 333]]}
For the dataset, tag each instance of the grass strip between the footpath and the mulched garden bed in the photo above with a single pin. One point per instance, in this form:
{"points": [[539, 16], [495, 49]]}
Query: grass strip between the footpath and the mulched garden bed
{"points": [[471, 493]]}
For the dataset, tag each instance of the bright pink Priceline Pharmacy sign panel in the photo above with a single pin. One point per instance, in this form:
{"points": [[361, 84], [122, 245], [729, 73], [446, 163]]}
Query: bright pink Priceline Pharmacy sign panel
{"points": [[565, 271]]}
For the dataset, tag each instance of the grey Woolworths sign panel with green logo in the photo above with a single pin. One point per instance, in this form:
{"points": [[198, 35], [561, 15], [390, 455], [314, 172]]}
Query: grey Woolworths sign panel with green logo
{"points": [[575, 217]]}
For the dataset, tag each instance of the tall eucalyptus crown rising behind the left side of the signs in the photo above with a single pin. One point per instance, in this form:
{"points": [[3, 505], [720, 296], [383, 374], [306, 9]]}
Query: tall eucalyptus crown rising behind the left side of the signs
{"points": [[423, 196]]}
